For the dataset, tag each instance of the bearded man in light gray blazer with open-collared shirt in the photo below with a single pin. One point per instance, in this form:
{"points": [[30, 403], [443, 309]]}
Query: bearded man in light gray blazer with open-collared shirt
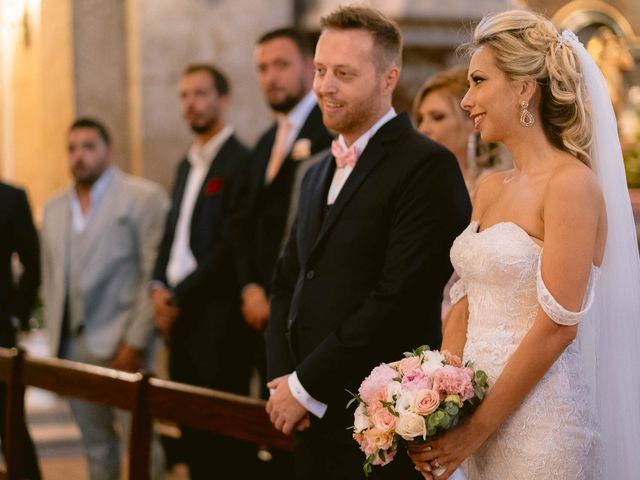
{"points": [[99, 242]]}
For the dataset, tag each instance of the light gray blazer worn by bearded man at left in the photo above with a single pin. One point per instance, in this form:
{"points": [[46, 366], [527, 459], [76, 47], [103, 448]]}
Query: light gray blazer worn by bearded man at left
{"points": [[121, 245]]}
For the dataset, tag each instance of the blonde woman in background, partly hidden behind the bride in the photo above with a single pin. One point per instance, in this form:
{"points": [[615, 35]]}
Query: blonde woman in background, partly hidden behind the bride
{"points": [[437, 114]]}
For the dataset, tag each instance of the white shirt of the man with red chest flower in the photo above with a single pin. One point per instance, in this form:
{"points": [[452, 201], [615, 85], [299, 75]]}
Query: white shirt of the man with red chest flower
{"points": [[181, 260]]}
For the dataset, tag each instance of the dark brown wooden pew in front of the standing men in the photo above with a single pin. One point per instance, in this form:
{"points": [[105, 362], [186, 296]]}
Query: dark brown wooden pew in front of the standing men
{"points": [[146, 398]]}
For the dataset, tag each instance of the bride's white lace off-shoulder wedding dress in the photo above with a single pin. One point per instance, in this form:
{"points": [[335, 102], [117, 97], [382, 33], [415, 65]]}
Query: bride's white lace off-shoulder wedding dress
{"points": [[552, 434]]}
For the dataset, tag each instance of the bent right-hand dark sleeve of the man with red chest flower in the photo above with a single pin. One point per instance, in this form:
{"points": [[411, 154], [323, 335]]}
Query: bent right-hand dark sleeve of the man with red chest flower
{"points": [[202, 278]]}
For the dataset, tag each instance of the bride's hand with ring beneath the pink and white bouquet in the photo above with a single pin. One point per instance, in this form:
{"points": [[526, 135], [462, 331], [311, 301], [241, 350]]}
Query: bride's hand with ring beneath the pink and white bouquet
{"points": [[447, 451]]}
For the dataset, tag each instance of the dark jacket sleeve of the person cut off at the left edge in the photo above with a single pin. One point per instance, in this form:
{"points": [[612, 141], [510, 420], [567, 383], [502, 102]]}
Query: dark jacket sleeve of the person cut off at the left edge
{"points": [[26, 245]]}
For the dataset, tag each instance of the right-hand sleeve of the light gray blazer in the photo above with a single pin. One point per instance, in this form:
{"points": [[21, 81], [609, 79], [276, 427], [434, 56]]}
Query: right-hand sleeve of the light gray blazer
{"points": [[150, 225]]}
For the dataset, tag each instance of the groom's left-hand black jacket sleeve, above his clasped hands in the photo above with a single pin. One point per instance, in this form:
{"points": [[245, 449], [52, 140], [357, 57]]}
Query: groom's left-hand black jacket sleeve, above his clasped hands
{"points": [[279, 361]]}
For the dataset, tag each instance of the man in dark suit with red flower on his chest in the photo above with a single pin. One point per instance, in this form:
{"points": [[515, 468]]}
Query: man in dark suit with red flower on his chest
{"points": [[196, 294]]}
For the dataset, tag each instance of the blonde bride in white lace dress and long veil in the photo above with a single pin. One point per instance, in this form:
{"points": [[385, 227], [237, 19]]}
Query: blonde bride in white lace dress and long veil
{"points": [[548, 301]]}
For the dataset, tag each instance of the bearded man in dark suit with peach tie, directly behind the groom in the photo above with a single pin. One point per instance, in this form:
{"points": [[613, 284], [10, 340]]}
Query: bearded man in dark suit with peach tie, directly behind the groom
{"points": [[284, 153]]}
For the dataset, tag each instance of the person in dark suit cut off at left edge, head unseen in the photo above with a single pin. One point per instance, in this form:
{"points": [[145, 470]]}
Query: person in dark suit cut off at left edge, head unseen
{"points": [[17, 299]]}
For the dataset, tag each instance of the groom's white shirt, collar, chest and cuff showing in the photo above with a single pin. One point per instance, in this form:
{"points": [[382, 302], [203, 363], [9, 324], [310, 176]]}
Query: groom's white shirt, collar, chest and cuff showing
{"points": [[339, 179]]}
